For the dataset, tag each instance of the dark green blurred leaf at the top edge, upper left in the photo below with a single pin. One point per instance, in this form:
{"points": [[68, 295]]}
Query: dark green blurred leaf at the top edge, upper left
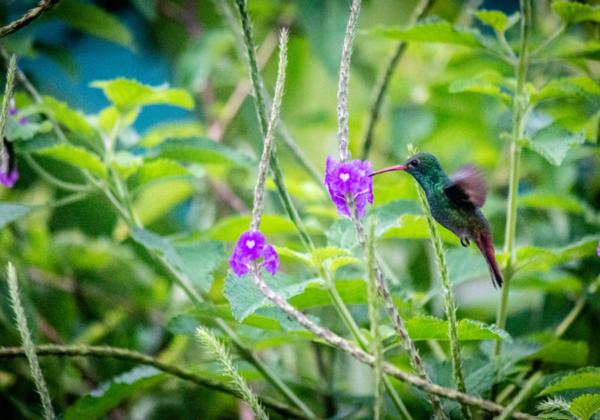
{"points": [[91, 19]]}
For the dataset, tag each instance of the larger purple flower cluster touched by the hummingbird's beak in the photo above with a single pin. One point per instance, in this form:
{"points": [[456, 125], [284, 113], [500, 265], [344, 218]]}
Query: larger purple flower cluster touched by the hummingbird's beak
{"points": [[349, 180]]}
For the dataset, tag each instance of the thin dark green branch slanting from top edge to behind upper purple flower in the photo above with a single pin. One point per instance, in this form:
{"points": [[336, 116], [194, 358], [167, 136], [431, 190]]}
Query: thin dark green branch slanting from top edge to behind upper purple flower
{"points": [[383, 82]]}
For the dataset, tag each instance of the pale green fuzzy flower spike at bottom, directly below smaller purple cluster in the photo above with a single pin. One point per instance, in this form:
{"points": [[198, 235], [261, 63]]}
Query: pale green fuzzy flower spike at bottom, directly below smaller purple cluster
{"points": [[216, 347]]}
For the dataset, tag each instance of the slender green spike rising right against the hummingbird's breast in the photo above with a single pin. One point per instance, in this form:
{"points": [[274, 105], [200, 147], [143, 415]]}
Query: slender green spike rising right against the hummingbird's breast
{"points": [[449, 305]]}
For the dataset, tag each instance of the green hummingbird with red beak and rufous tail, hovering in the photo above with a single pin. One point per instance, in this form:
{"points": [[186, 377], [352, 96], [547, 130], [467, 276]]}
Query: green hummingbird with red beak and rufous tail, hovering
{"points": [[455, 202]]}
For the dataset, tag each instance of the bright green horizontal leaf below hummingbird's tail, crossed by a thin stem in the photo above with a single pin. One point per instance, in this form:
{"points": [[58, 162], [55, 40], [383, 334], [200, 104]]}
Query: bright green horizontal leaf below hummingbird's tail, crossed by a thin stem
{"points": [[431, 328]]}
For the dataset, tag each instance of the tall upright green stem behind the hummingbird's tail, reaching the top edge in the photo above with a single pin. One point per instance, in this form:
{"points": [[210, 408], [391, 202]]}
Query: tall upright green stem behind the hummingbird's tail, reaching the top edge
{"points": [[520, 105]]}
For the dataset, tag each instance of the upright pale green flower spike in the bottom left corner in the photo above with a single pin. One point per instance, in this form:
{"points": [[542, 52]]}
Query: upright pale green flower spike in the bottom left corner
{"points": [[29, 347]]}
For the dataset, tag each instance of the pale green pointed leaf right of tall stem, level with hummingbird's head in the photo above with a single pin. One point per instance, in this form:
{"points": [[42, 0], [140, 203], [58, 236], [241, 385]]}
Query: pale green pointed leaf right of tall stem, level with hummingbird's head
{"points": [[553, 143]]}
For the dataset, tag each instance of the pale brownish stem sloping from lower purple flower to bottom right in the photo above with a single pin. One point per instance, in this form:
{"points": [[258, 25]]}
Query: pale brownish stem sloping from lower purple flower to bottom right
{"points": [[368, 359]]}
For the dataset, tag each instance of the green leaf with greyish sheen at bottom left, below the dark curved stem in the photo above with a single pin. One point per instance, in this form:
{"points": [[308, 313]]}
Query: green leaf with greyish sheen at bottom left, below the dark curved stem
{"points": [[110, 395]]}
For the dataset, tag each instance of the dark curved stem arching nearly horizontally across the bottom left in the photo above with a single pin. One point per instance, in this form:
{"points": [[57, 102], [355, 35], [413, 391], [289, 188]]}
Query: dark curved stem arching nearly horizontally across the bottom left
{"points": [[140, 358]]}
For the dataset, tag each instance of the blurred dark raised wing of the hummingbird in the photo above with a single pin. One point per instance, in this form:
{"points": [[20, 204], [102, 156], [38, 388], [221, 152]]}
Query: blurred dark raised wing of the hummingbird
{"points": [[467, 187]]}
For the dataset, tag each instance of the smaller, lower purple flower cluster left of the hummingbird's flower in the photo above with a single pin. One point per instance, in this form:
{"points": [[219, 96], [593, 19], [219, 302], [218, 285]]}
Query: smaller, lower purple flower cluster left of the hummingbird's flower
{"points": [[249, 248]]}
